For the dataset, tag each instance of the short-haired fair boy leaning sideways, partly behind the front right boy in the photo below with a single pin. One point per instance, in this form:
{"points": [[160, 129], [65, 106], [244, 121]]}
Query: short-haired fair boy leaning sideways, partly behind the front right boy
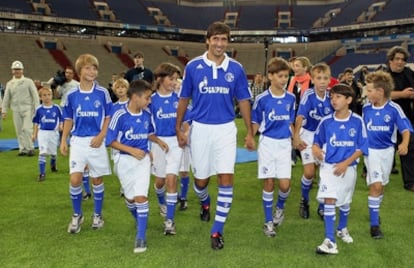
{"points": [[314, 104]]}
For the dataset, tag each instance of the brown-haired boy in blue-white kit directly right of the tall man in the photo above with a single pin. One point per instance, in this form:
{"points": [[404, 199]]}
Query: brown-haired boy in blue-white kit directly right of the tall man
{"points": [[273, 115]]}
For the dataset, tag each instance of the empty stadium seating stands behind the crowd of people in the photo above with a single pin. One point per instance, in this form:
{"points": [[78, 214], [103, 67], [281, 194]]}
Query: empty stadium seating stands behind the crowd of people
{"points": [[342, 33]]}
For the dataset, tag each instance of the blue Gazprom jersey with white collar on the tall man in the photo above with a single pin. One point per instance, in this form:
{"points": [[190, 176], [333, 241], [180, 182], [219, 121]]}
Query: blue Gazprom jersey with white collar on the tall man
{"points": [[213, 89]]}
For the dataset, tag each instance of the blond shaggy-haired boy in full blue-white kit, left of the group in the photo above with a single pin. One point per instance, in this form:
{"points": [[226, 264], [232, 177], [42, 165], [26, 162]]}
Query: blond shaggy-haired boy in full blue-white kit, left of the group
{"points": [[86, 114]]}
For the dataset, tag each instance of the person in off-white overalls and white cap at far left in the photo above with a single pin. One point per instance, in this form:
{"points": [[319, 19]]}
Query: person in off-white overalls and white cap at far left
{"points": [[22, 97]]}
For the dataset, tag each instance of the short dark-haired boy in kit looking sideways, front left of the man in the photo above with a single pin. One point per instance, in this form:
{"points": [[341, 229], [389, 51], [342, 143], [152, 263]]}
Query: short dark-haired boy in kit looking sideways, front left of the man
{"points": [[129, 133]]}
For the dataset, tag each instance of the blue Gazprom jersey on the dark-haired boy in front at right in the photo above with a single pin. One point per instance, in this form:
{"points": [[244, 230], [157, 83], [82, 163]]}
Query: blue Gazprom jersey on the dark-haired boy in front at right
{"points": [[341, 137]]}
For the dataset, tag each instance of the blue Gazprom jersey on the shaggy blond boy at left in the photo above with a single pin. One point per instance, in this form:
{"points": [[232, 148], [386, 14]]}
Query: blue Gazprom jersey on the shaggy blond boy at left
{"points": [[88, 110]]}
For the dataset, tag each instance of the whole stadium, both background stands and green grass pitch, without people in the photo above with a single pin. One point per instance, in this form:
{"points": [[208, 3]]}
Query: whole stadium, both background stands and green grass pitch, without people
{"points": [[48, 35]]}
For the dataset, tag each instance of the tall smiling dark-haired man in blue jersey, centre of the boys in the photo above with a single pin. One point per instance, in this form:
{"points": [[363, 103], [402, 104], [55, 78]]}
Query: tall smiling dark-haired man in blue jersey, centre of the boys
{"points": [[212, 81]]}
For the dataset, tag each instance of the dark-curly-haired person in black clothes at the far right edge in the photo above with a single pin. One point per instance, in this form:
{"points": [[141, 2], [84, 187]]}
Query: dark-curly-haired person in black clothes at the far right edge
{"points": [[403, 94]]}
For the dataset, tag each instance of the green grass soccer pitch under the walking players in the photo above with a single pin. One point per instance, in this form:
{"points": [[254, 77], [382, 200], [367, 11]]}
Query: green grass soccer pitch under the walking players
{"points": [[34, 217]]}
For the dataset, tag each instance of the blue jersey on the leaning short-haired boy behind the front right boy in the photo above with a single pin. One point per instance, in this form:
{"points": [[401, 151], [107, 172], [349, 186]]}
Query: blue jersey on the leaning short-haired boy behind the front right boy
{"points": [[313, 108]]}
